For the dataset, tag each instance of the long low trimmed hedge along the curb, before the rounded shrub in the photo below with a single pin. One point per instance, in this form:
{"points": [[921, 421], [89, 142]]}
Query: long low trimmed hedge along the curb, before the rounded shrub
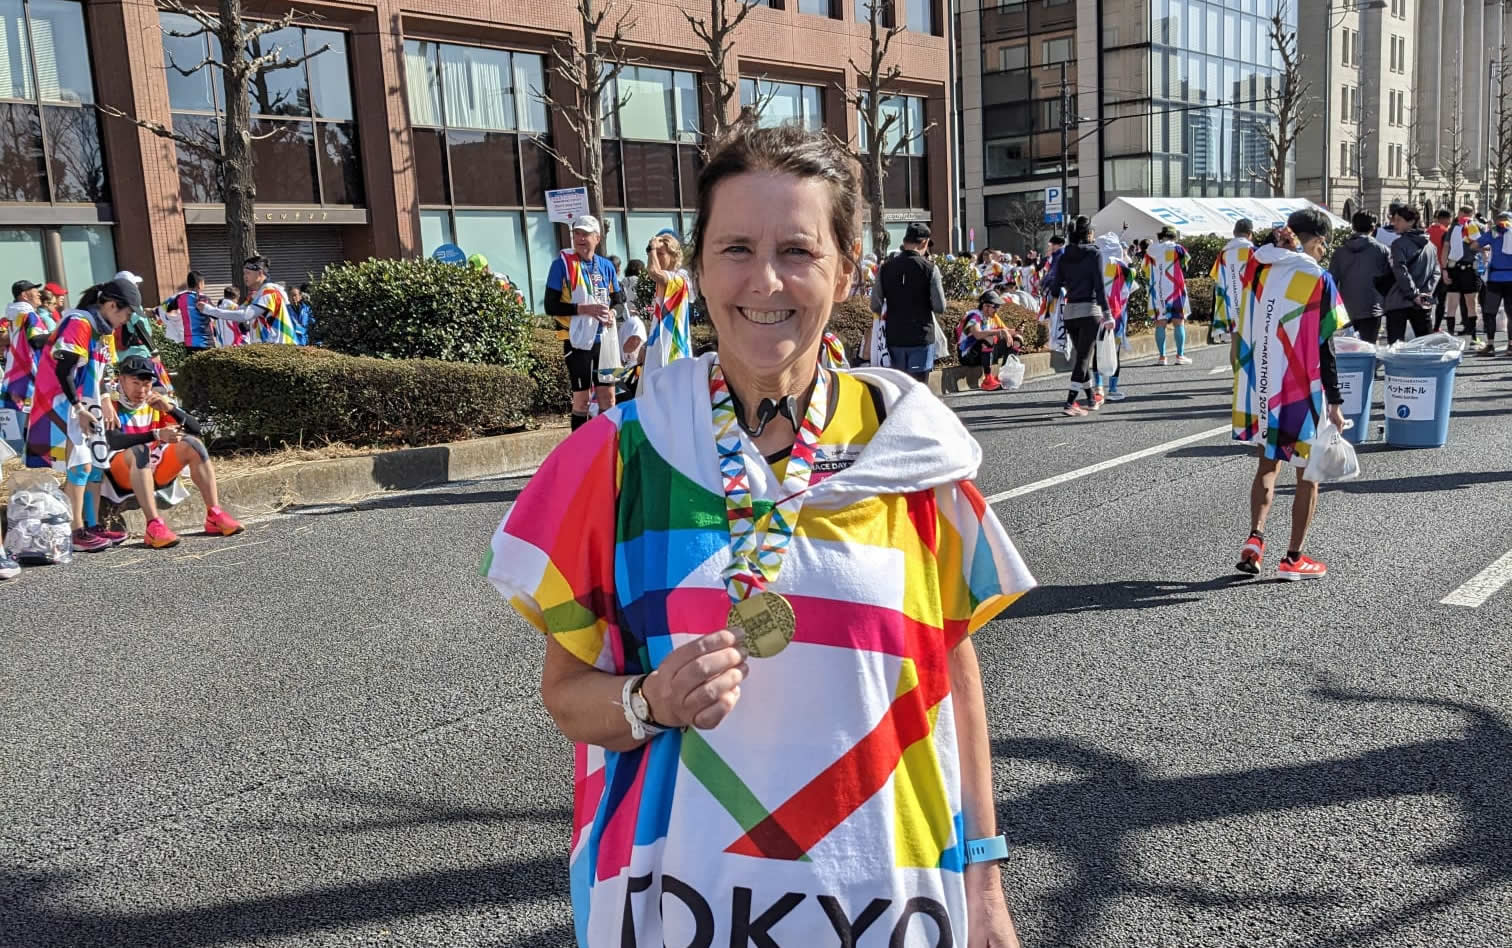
{"points": [[268, 395]]}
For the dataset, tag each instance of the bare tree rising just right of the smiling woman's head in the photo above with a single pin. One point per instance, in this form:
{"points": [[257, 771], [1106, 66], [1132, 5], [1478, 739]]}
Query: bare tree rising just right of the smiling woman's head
{"points": [[876, 85]]}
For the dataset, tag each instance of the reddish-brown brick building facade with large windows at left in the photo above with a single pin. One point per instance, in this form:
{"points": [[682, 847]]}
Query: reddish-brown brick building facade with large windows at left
{"points": [[417, 126]]}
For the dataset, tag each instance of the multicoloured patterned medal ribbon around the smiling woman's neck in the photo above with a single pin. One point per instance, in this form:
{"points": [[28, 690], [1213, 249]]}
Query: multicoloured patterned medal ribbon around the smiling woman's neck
{"points": [[758, 550]]}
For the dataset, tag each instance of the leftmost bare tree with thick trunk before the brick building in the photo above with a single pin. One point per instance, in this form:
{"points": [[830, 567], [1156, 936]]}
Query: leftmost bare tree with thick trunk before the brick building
{"points": [[249, 57]]}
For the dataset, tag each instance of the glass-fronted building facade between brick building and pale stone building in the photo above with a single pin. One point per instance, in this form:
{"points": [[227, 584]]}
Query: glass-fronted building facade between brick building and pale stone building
{"points": [[1171, 99]]}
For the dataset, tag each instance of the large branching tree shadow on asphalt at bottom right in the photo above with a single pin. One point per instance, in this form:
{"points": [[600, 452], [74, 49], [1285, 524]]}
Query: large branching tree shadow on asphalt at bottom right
{"points": [[1094, 822]]}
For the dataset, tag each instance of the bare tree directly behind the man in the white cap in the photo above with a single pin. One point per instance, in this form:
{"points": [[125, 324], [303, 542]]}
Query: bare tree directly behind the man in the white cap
{"points": [[589, 70]]}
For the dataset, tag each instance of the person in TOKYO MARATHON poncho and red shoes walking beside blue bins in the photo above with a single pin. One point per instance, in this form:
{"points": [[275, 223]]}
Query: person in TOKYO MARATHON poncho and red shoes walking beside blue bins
{"points": [[1284, 373]]}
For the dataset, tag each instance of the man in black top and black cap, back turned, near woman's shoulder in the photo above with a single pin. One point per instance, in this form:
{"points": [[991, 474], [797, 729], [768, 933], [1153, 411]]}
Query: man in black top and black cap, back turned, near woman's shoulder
{"points": [[909, 285]]}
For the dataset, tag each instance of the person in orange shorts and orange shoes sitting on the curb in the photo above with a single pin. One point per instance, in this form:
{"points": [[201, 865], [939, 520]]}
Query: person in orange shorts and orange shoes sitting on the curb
{"points": [[155, 444]]}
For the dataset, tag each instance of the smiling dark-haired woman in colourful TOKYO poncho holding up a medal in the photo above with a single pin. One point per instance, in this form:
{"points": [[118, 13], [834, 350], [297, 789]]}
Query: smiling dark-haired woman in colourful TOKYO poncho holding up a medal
{"points": [[784, 792]]}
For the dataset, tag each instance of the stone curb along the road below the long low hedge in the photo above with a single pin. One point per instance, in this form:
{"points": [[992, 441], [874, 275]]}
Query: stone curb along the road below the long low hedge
{"points": [[342, 480]]}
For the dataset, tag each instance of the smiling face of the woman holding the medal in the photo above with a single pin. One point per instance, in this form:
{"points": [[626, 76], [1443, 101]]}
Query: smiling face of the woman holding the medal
{"points": [[770, 268]]}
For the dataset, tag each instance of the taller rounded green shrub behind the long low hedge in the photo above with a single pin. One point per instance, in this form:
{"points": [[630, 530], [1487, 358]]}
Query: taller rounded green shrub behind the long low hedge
{"points": [[420, 309]]}
